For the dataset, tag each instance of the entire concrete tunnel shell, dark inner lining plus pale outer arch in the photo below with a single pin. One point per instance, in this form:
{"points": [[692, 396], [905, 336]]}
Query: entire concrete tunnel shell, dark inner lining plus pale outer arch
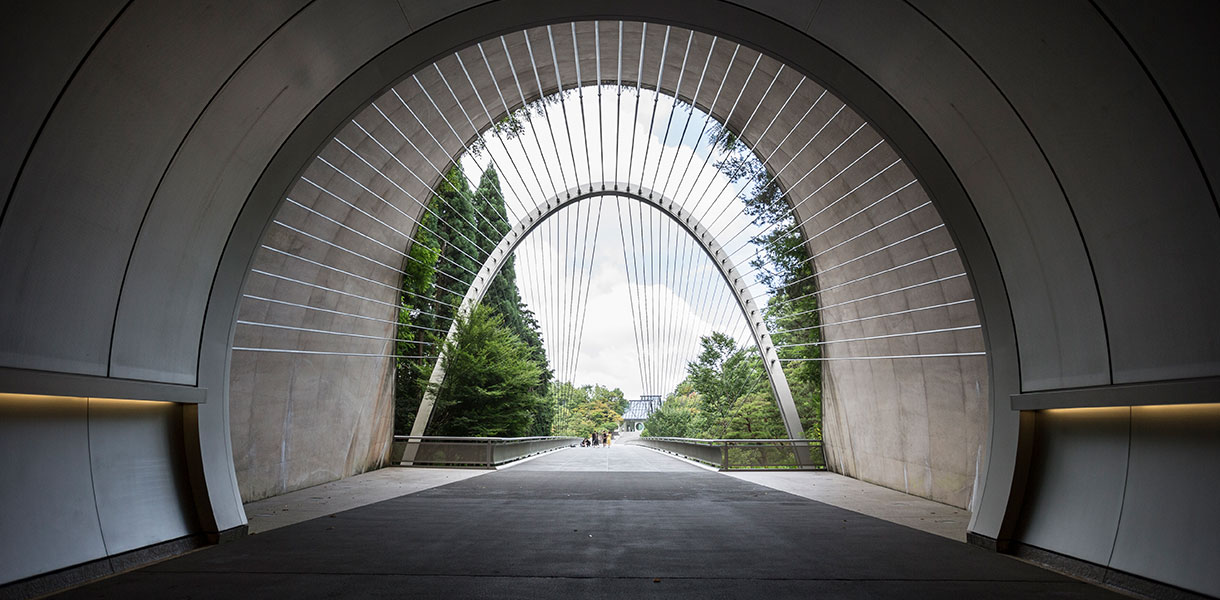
{"points": [[1068, 231]]}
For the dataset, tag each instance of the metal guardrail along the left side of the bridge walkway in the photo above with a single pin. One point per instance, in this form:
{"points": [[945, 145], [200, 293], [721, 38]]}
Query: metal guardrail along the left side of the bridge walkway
{"points": [[475, 453]]}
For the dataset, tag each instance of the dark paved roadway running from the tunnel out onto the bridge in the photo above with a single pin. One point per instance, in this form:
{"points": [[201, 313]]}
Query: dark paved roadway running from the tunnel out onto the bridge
{"points": [[618, 523]]}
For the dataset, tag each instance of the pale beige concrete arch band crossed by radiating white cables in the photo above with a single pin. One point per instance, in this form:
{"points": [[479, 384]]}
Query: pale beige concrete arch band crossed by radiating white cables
{"points": [[287, 441]]}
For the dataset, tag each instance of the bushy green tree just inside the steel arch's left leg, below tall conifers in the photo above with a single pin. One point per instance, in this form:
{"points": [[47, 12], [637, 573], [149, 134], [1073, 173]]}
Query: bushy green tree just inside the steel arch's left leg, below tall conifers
{"points": [[491, 381]]}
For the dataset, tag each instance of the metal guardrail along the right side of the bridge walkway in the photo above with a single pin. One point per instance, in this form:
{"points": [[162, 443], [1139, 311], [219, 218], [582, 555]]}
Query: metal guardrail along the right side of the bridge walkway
{"points": [[744, 454]]}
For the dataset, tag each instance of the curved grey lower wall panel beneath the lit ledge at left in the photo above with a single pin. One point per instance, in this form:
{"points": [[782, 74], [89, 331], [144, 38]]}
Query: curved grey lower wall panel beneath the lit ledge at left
{"points": [[88, 479]]}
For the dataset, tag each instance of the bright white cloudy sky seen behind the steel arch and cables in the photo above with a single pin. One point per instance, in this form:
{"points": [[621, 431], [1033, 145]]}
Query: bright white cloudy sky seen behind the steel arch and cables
{"points": [[642, 313]]}
